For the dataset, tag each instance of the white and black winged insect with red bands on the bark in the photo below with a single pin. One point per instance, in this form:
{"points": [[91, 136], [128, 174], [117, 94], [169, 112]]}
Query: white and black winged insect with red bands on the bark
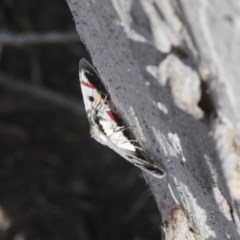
{"points": [[106, 124]]}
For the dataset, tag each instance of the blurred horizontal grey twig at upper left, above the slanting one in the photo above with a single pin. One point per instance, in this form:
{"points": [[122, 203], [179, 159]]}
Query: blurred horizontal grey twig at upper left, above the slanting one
{"points": [[21, 39]]}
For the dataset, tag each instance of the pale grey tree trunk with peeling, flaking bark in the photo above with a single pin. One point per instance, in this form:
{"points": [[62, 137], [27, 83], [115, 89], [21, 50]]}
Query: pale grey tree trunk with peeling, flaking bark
{"points": [[154, 56]]}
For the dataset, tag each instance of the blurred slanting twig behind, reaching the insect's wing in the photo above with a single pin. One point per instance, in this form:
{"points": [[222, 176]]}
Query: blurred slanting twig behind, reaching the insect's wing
{"points": [[40, 93]]}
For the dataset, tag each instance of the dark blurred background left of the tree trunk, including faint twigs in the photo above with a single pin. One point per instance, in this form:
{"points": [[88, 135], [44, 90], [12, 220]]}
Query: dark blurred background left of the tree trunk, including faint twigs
{"points": [[56, 182]]}
